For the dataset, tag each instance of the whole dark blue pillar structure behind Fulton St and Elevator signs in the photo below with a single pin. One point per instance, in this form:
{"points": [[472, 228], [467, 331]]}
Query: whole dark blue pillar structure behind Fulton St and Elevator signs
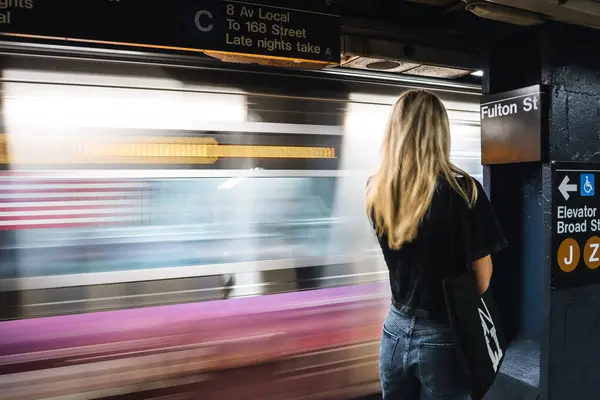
{"points": [[555, 332]]}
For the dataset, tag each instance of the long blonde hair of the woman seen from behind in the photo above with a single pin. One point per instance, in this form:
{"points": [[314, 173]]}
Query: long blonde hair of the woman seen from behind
{"points": [[415, 153]]}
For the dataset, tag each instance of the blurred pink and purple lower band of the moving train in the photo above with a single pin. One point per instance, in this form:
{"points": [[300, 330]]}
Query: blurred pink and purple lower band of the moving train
{"points": [[280, 342]]}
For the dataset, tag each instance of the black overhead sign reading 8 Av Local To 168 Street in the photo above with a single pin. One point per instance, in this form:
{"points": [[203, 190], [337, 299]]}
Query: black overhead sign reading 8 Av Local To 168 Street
{"points": [[178, 25]]}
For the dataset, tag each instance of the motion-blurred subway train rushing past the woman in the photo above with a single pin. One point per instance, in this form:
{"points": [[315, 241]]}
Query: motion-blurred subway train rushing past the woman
{"points": [[229, 191]]}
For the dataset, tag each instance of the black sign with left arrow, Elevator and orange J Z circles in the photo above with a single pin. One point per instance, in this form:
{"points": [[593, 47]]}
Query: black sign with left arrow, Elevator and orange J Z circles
{"points": [[575, 225]]}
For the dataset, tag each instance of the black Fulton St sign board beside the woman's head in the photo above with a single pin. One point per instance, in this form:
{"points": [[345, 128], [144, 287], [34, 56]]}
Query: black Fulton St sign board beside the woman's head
{"points": [[511, 126]]}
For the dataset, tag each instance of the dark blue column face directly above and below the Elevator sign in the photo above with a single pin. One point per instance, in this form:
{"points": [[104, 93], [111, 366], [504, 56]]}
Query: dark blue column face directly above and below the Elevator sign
{"points": [[571, 66]]}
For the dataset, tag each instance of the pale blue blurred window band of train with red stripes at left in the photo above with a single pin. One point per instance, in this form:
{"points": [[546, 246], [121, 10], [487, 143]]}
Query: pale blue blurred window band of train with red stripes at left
{"points": [[169, 223]]}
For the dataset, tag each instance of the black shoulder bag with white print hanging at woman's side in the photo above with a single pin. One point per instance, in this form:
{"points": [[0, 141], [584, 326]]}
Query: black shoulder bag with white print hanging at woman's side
{"points": [[475, 323]]}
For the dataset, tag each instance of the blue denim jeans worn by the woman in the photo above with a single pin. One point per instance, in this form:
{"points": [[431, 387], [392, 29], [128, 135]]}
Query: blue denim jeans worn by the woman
{"points": [[419, 360]]}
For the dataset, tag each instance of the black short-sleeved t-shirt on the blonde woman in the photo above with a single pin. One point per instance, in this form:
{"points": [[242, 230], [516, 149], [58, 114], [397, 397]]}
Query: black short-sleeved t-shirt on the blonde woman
{"points": [[419, 267]]}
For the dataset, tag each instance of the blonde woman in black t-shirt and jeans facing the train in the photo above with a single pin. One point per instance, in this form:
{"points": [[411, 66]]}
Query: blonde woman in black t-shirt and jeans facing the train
{"points": [[416, 203]]}
